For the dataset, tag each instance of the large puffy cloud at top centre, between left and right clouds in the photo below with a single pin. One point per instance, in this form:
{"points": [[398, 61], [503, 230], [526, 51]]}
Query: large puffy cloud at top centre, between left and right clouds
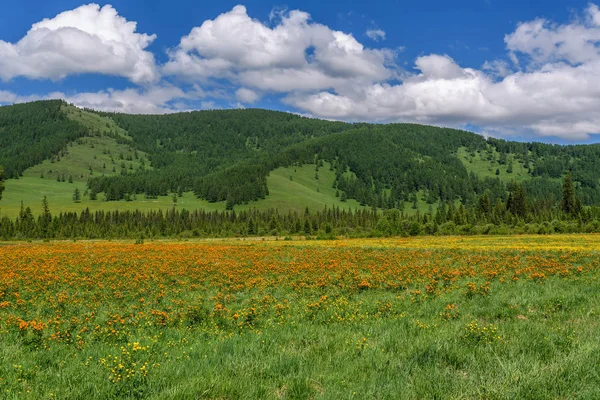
{"points": [[236, 47]]}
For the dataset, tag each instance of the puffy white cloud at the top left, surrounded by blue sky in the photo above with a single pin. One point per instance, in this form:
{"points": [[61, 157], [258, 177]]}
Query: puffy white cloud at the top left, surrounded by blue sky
{"points": [[88, 39]]}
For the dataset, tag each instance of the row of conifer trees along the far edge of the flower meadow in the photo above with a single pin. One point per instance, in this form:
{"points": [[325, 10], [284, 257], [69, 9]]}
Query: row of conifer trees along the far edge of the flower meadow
{"points": [[515, 215]]}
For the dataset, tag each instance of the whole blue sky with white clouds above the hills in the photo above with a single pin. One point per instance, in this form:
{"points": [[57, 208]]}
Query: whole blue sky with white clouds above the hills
{"points": [[522, 70]]}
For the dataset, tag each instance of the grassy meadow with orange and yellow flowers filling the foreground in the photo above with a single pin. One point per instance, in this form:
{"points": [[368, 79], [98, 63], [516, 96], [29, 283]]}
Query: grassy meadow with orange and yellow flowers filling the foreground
{"points": [[429, 317]]}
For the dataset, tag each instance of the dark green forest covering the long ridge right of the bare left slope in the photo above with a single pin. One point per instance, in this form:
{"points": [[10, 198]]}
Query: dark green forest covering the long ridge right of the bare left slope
{"points": [[227, 155]]}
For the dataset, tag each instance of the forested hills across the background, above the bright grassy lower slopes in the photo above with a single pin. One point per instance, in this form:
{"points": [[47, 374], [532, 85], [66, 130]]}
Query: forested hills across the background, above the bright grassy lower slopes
{"points": [[227, 155]]}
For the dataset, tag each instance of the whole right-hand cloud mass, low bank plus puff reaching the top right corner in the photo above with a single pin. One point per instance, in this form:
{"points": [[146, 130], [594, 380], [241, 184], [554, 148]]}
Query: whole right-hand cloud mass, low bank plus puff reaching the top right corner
{"points": [[556, 93]]}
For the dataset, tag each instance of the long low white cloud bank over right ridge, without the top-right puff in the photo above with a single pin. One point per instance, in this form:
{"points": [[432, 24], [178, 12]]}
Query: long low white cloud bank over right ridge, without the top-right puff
{"points": [[559, 100]]}
